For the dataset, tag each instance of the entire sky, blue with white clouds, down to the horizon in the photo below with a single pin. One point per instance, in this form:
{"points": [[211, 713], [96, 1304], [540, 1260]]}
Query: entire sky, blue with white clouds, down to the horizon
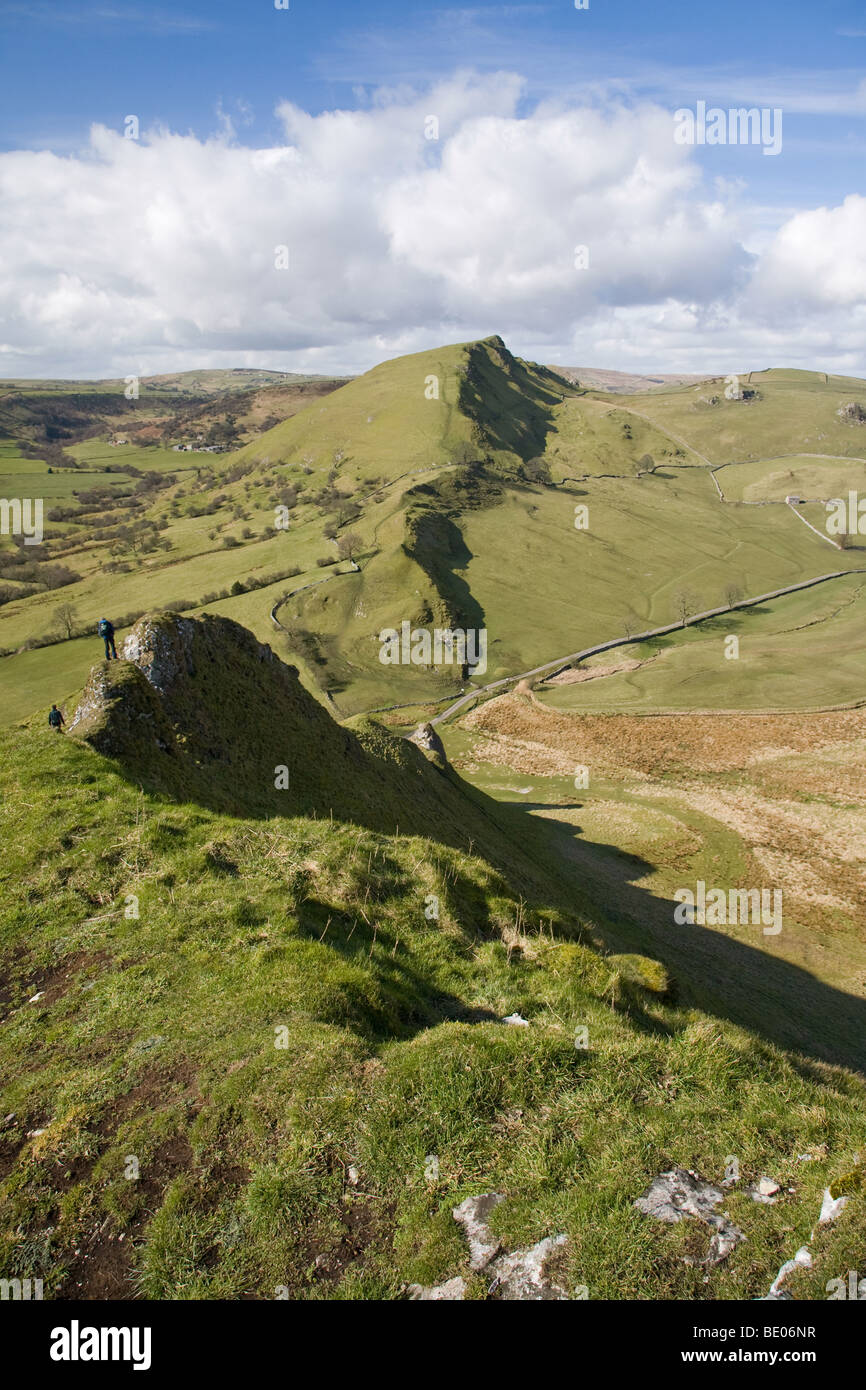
{"points": [[325, 184]]}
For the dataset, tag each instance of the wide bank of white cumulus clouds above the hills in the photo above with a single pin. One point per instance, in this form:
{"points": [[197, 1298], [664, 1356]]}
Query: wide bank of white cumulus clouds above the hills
{"points": [[137, 256]]}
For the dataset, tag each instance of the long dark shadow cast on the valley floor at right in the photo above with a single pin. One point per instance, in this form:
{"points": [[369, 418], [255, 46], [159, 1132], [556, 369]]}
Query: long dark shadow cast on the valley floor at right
{"points": [[747, 985]]}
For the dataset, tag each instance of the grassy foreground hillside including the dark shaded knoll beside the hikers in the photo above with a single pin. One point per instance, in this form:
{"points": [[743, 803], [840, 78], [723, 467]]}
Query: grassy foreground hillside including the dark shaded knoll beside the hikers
{"points": [[254, 1046]]}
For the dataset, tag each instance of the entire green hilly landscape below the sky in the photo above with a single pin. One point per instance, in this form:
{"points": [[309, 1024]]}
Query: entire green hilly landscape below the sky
{"points": [[269, 940]]}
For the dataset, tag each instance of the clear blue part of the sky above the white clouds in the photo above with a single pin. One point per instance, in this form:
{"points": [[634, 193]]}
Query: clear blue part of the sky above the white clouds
{"points": [[220, 69]]}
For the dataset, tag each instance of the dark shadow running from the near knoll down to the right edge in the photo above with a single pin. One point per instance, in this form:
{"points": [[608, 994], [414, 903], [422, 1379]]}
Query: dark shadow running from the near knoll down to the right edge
{"points": [[243, 718]]}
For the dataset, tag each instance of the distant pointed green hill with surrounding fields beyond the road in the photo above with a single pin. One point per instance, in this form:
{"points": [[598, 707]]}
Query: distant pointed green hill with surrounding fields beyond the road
{"points": [[462, 475]]}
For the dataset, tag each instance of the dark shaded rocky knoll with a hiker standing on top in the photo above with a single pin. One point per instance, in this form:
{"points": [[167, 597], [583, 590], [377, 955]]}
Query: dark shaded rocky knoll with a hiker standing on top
{"points": [[199, 710]]}
